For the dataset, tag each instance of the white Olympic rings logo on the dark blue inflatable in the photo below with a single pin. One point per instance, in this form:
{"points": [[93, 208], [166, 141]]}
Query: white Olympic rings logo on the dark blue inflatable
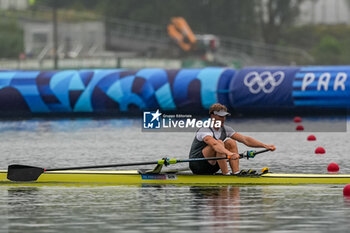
{"points": [[266, 81]]}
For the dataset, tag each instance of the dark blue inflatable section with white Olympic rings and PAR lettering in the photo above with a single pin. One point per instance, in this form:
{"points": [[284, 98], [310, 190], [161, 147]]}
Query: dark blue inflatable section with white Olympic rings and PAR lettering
{"points": [[313, 88]]}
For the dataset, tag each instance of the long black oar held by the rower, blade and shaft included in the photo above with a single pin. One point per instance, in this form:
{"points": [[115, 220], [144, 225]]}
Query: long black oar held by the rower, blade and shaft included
{"points": [[17, 172]]}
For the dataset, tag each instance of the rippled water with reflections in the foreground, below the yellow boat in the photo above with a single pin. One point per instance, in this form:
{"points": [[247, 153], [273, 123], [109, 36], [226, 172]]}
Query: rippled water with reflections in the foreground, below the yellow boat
{"points": [[156, 208]]}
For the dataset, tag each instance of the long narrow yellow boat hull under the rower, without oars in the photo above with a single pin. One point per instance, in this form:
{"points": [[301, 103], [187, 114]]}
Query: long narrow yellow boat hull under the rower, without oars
{"points": [[133, 177]]}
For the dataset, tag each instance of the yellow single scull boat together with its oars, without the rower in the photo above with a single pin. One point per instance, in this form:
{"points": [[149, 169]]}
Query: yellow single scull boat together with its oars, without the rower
{"points": [[19, 174]]}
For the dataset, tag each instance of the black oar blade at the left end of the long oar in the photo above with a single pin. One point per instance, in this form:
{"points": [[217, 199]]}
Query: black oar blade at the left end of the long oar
{"points": [[23, 173]]}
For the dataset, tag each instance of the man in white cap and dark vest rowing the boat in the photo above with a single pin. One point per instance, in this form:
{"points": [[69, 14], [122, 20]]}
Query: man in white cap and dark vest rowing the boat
{"points": [[219, 142]]}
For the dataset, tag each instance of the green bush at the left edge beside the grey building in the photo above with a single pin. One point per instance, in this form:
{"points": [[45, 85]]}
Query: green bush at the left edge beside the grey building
{"points": [[11, 39]]}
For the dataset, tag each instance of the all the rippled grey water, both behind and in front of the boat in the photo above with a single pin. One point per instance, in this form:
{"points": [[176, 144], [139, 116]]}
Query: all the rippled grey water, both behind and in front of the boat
{"points": [[57, 143]]}
